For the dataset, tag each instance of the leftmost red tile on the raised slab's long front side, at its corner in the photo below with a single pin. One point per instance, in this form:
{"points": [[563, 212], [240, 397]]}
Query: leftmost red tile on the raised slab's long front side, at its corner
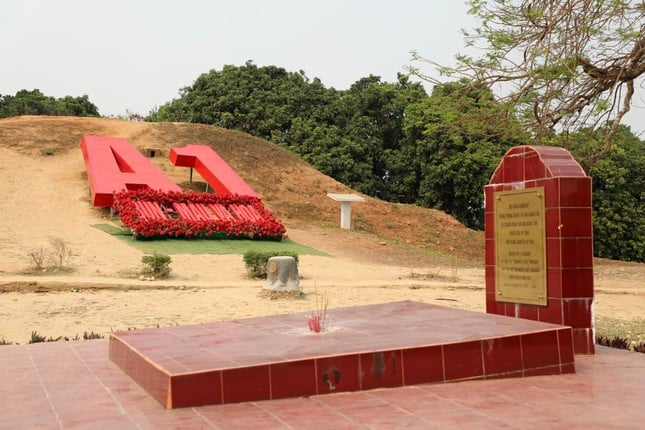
{"points": [[195, 389]]}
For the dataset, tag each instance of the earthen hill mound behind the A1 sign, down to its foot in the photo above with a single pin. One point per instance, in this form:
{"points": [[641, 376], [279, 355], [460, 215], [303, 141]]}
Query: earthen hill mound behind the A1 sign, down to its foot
{"points": [[292, 189]]}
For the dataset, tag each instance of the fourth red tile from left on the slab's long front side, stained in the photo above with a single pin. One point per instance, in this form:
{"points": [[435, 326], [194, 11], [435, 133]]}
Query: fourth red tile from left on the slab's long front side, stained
{"points": [[336, 374]]}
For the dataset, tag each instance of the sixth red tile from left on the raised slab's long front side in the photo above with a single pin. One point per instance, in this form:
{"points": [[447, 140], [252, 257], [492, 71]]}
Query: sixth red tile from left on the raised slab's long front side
{"points": [[423, 365]]}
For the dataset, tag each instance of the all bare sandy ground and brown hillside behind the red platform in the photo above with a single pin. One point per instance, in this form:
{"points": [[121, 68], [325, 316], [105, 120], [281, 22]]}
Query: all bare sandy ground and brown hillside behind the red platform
{"points": [[395, 252]]}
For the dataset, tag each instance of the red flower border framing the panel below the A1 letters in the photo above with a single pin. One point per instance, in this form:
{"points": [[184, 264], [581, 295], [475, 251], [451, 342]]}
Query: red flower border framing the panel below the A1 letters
{"points": [[266, 228]]}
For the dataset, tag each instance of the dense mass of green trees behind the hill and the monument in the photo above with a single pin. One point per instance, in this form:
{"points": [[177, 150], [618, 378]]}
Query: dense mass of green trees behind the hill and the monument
{"points": [[396, 142]]}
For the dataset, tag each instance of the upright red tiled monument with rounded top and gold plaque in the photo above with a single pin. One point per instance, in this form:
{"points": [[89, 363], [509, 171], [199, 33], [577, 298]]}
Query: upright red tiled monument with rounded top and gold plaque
{"points": [[539, 244]]}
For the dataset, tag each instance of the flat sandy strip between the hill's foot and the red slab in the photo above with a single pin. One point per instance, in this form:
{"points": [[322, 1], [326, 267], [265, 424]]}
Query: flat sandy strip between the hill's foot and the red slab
{"points": [[69, 306]]}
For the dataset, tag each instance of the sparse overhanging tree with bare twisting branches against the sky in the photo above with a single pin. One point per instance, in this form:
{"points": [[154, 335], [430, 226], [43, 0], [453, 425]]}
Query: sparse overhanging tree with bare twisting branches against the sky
{"points": [[562, 64]]}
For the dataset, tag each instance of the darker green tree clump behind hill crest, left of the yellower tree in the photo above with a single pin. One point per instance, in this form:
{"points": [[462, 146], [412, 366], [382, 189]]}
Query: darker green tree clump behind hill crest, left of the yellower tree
{"points": [[349, 135]]}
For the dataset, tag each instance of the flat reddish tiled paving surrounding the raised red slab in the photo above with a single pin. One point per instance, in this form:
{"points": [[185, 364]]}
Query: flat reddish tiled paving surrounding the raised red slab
{"points": [[73, 385]]}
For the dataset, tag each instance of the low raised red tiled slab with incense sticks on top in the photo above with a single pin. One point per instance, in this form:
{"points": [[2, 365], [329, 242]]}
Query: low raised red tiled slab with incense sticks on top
{"points": [[386, 345]]}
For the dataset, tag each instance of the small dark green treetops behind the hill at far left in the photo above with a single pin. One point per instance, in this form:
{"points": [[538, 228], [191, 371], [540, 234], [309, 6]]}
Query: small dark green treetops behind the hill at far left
{"points": [[36, 103]]}
